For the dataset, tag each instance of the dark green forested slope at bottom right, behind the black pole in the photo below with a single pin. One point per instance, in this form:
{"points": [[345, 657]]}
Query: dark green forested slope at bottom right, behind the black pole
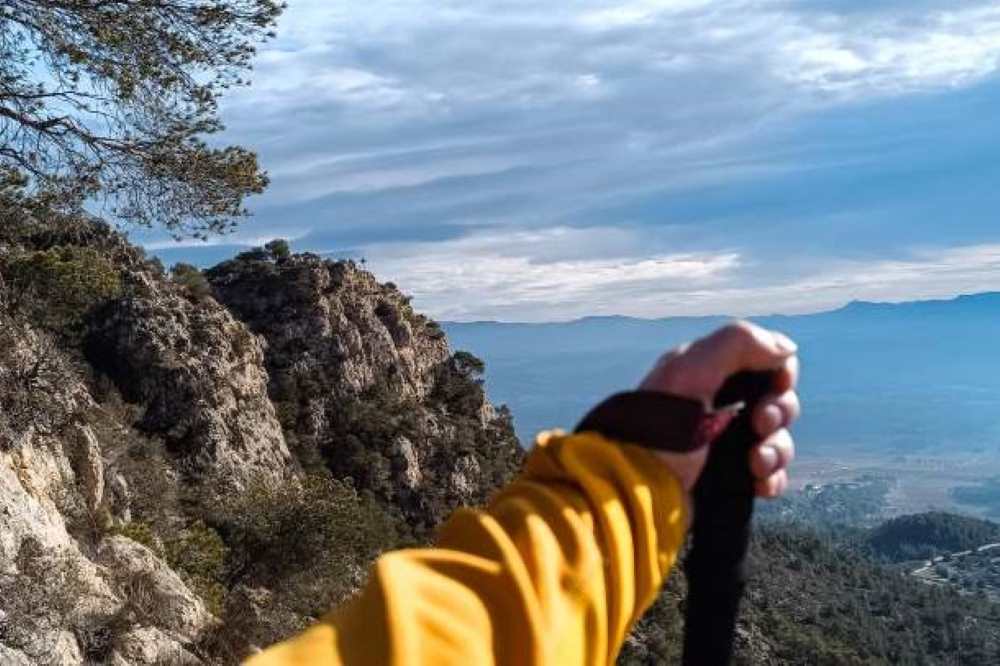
{"points": [[813, 601]]}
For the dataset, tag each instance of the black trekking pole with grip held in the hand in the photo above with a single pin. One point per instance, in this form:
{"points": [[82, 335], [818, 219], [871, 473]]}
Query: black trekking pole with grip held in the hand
{"points": [[716, 566]]}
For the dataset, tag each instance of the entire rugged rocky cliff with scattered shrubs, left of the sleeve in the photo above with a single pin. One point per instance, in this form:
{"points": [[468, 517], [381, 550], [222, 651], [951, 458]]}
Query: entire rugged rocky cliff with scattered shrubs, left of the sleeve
{"points": [[192, 466]]}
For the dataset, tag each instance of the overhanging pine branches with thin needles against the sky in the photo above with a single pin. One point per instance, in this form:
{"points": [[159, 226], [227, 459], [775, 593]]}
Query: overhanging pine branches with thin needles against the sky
{"points": [[112, 99]]}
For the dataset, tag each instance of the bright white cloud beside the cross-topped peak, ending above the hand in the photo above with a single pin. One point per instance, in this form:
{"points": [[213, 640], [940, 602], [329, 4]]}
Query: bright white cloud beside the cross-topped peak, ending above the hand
{"points": [[542, 275]]}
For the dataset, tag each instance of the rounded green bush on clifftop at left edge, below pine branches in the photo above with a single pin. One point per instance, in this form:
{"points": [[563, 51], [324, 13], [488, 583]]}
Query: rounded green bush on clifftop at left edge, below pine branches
{"points": [[57, 288]]}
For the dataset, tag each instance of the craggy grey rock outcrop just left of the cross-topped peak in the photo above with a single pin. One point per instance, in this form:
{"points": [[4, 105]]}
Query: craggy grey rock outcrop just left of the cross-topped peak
{"points": [[199, 375]]}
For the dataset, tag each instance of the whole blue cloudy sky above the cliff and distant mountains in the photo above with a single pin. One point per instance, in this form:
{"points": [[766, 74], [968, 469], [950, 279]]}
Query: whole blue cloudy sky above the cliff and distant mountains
{"points": [[526, 161]]}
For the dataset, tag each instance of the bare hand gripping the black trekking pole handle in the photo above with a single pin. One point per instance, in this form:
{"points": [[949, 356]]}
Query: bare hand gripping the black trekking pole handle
{"points": [[698, 370]]}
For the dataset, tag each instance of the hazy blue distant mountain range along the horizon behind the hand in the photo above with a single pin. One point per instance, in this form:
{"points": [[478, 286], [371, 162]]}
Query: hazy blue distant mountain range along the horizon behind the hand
{"points": [[886, 377]]}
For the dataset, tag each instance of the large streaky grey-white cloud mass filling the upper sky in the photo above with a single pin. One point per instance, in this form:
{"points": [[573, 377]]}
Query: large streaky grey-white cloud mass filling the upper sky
{"points": [[608, 89]]}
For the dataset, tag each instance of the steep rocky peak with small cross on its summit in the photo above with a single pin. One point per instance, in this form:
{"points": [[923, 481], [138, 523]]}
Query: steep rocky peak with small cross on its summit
{"points": [[369, 385]]}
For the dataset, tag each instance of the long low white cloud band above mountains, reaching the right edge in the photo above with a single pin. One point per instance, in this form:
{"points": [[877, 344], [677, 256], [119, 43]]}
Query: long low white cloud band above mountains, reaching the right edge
{"points": [[525, 277]]}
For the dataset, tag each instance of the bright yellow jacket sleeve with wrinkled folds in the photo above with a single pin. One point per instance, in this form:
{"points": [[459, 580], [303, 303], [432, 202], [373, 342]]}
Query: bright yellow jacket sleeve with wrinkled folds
{"points": [[555, 570]]}
